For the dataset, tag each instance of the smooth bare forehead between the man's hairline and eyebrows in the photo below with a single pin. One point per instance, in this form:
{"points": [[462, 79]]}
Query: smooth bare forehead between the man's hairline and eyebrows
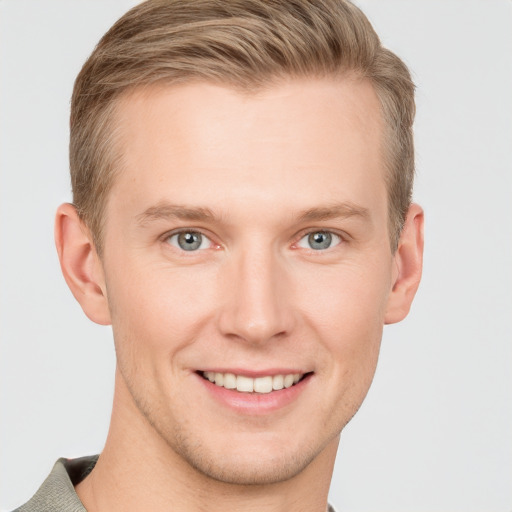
{"points": [[315, 137]]}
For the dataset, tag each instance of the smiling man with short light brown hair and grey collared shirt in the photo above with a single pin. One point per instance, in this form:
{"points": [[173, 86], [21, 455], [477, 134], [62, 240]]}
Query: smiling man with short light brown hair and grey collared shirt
{"points": [[242, 176]]}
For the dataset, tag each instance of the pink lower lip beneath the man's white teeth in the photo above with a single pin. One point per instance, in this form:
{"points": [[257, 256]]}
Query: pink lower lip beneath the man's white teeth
{"points": [[256, 403]]}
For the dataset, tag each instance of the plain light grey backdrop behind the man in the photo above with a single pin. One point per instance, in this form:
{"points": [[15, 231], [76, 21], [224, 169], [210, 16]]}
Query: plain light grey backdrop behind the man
{"points": [[435, 433]]}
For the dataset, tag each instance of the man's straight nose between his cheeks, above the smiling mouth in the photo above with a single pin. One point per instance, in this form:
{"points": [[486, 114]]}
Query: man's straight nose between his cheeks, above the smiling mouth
{"points": [[257, 298]]}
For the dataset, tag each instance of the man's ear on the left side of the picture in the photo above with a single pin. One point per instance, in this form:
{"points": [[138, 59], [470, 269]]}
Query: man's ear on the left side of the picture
{"points": [[80, 264]]}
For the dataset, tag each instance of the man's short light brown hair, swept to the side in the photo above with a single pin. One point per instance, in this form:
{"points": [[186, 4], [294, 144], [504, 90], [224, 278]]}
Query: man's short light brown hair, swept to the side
{"points": [[243, 43]]}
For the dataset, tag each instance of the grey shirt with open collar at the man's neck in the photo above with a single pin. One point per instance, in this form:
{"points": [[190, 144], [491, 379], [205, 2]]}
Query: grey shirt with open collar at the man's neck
{"points": [[57, 493]]}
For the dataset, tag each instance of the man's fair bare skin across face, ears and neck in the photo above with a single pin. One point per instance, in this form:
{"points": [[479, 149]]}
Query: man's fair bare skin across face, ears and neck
{"points": [[299, 157]]}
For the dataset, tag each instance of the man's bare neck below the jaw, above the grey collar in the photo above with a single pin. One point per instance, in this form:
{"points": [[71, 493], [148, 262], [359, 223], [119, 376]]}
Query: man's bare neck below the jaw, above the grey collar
{"points": [[137, 470]]}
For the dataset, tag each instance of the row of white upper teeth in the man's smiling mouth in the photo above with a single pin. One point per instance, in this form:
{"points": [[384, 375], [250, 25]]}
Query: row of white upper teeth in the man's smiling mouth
{"points": [[245, 384]]}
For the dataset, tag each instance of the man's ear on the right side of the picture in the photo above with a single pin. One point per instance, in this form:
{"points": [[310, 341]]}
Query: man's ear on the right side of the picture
{"points": [[408, 263]]}
